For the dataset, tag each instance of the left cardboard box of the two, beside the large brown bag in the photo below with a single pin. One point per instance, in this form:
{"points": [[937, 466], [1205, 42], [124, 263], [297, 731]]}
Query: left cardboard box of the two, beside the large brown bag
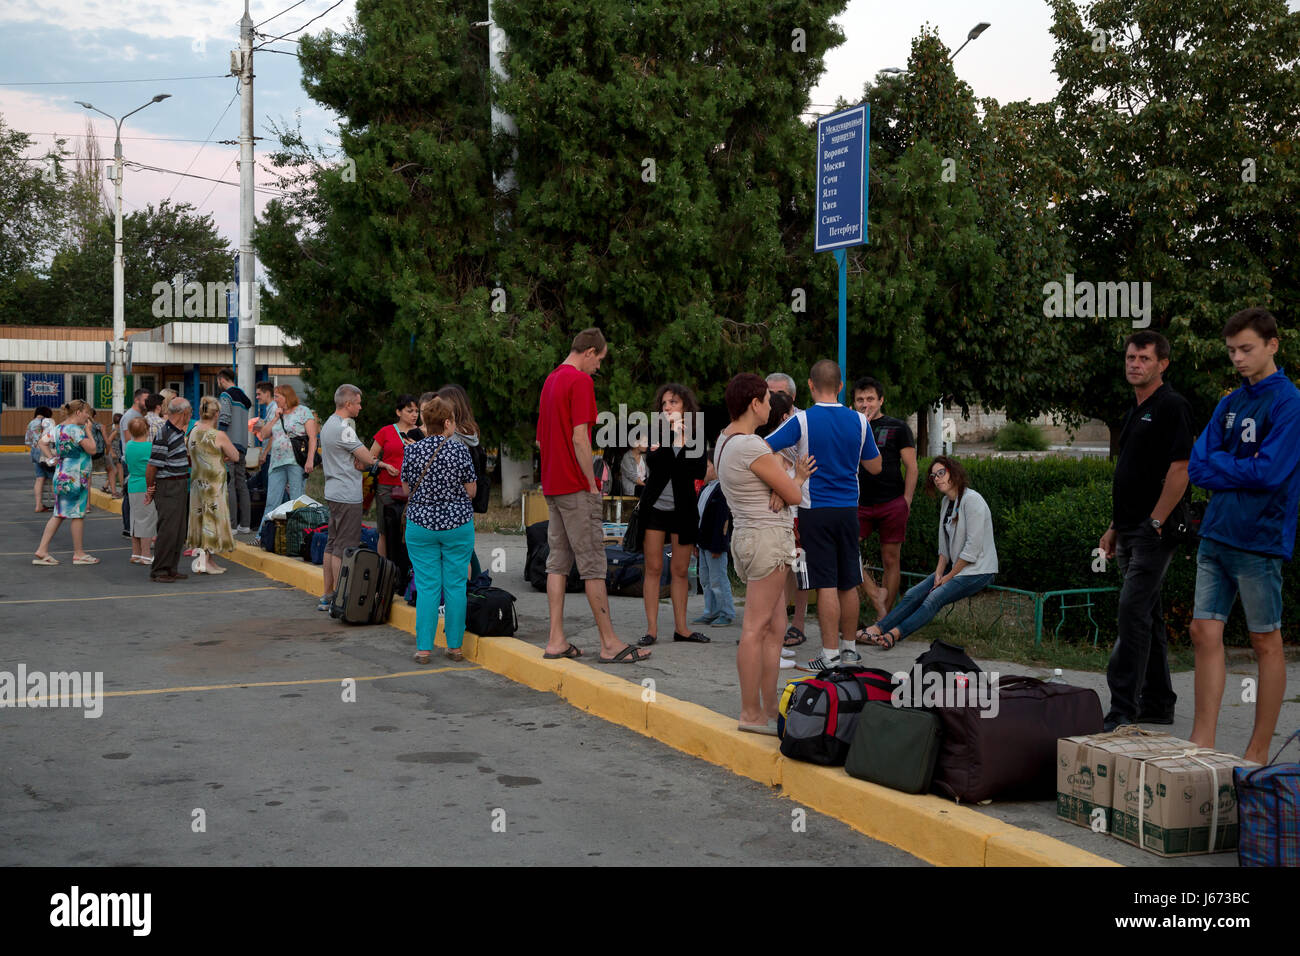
{"points": [[1086, 771]]}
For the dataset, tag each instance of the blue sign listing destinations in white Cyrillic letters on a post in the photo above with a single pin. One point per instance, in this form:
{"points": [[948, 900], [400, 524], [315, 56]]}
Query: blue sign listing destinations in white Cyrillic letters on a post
{"points": [[843, 142]]}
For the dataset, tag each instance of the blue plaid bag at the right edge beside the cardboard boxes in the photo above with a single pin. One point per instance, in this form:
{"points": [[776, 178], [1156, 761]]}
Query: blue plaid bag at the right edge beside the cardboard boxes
{"points": [[1268, 812]]}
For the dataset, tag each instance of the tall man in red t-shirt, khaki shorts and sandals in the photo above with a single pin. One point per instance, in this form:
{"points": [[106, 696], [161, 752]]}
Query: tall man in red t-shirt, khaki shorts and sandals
{"points": [[566, 417]]}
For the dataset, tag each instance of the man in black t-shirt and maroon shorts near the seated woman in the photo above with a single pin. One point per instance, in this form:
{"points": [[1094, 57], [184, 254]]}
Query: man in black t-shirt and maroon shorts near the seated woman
{"points": [[885, 500]]}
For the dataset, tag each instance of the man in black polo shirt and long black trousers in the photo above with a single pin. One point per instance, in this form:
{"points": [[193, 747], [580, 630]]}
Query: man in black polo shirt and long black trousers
{"points": [[1151, 478]]}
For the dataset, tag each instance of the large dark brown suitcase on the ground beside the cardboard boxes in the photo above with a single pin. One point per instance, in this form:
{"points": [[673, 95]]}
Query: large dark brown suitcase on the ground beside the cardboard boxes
{"points": [[1012, 755]]}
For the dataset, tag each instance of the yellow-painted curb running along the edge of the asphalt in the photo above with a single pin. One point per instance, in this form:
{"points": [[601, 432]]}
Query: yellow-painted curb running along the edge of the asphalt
{"points": [[926, 827]]}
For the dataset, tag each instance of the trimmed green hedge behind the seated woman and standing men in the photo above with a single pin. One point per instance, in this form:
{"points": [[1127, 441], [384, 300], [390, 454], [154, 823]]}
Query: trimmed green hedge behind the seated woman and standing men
{"points": [[1048, 517]]}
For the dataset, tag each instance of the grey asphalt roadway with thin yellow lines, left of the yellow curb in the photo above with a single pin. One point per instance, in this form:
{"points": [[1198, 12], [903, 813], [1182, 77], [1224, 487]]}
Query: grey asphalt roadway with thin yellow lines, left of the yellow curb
{"points": [[240, 726]]}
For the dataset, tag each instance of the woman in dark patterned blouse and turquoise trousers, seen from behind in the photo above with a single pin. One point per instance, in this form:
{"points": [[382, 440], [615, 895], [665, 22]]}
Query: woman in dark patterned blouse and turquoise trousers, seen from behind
{"points": [[439, 475]]}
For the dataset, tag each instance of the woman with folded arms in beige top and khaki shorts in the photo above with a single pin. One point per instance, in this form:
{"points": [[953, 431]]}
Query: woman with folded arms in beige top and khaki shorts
{"points": [[762, 543]]}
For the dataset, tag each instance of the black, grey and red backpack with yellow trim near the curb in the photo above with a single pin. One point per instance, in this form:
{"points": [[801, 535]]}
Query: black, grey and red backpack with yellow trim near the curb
{"points": [[824, 713]]}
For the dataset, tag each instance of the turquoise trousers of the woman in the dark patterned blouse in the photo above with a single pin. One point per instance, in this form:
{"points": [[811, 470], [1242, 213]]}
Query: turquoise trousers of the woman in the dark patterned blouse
{"points": [[440, 560]]}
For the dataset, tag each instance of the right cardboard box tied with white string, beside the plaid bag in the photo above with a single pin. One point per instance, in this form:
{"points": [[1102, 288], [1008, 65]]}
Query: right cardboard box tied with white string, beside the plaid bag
{"points": [[1176, 803]]}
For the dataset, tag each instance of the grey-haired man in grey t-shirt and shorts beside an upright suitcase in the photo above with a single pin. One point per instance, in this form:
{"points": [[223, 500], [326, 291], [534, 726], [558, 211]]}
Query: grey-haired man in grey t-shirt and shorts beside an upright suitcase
{"points": [[344, 456]]}
